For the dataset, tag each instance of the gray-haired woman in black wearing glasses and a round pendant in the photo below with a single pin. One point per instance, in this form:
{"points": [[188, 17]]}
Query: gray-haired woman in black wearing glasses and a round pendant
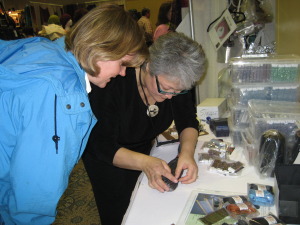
{"points": [[133, 111]]}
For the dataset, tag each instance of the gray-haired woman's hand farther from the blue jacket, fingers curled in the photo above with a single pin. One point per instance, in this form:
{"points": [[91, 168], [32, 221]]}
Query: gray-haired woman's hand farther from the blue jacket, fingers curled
{"points": [[187, 162]]}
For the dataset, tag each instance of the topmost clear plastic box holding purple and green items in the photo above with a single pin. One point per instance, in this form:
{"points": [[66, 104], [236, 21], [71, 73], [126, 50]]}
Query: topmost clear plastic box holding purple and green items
{"points": [[273, 69]]}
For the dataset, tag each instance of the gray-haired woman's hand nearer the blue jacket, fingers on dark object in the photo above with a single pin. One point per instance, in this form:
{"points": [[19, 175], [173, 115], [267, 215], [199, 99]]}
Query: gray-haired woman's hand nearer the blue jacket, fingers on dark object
{"points": [[154, 168]]}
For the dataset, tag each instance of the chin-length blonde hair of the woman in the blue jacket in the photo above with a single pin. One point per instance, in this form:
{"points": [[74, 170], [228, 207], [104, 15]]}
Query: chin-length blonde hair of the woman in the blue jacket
{"points": [[106, 33]]}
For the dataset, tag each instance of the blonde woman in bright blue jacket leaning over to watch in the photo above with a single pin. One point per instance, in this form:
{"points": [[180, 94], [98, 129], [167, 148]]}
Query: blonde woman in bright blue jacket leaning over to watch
{"points": [[45, 114]]}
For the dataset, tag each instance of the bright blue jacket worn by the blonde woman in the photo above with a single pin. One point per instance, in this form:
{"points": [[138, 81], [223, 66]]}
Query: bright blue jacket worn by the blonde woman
{"points": [[45, 121]]}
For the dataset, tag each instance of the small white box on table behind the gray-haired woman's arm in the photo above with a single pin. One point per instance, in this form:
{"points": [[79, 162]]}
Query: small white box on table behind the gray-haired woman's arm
{"points": [[211, 107]]}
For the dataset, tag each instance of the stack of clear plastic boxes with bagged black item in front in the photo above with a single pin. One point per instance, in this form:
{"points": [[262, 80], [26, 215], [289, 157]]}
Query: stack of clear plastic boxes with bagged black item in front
{"points": [[265, 109]]}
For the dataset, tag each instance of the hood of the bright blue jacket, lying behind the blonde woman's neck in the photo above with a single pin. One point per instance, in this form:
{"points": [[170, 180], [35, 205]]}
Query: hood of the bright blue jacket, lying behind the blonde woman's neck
{"points": [[24, 59]]}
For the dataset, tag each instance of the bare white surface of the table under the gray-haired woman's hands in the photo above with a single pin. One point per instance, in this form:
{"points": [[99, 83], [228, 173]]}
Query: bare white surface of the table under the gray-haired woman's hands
{"points": [[150, 207]]}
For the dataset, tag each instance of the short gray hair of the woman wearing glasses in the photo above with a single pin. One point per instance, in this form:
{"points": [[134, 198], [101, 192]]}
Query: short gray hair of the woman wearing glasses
{"points": [[177, 57]]}
